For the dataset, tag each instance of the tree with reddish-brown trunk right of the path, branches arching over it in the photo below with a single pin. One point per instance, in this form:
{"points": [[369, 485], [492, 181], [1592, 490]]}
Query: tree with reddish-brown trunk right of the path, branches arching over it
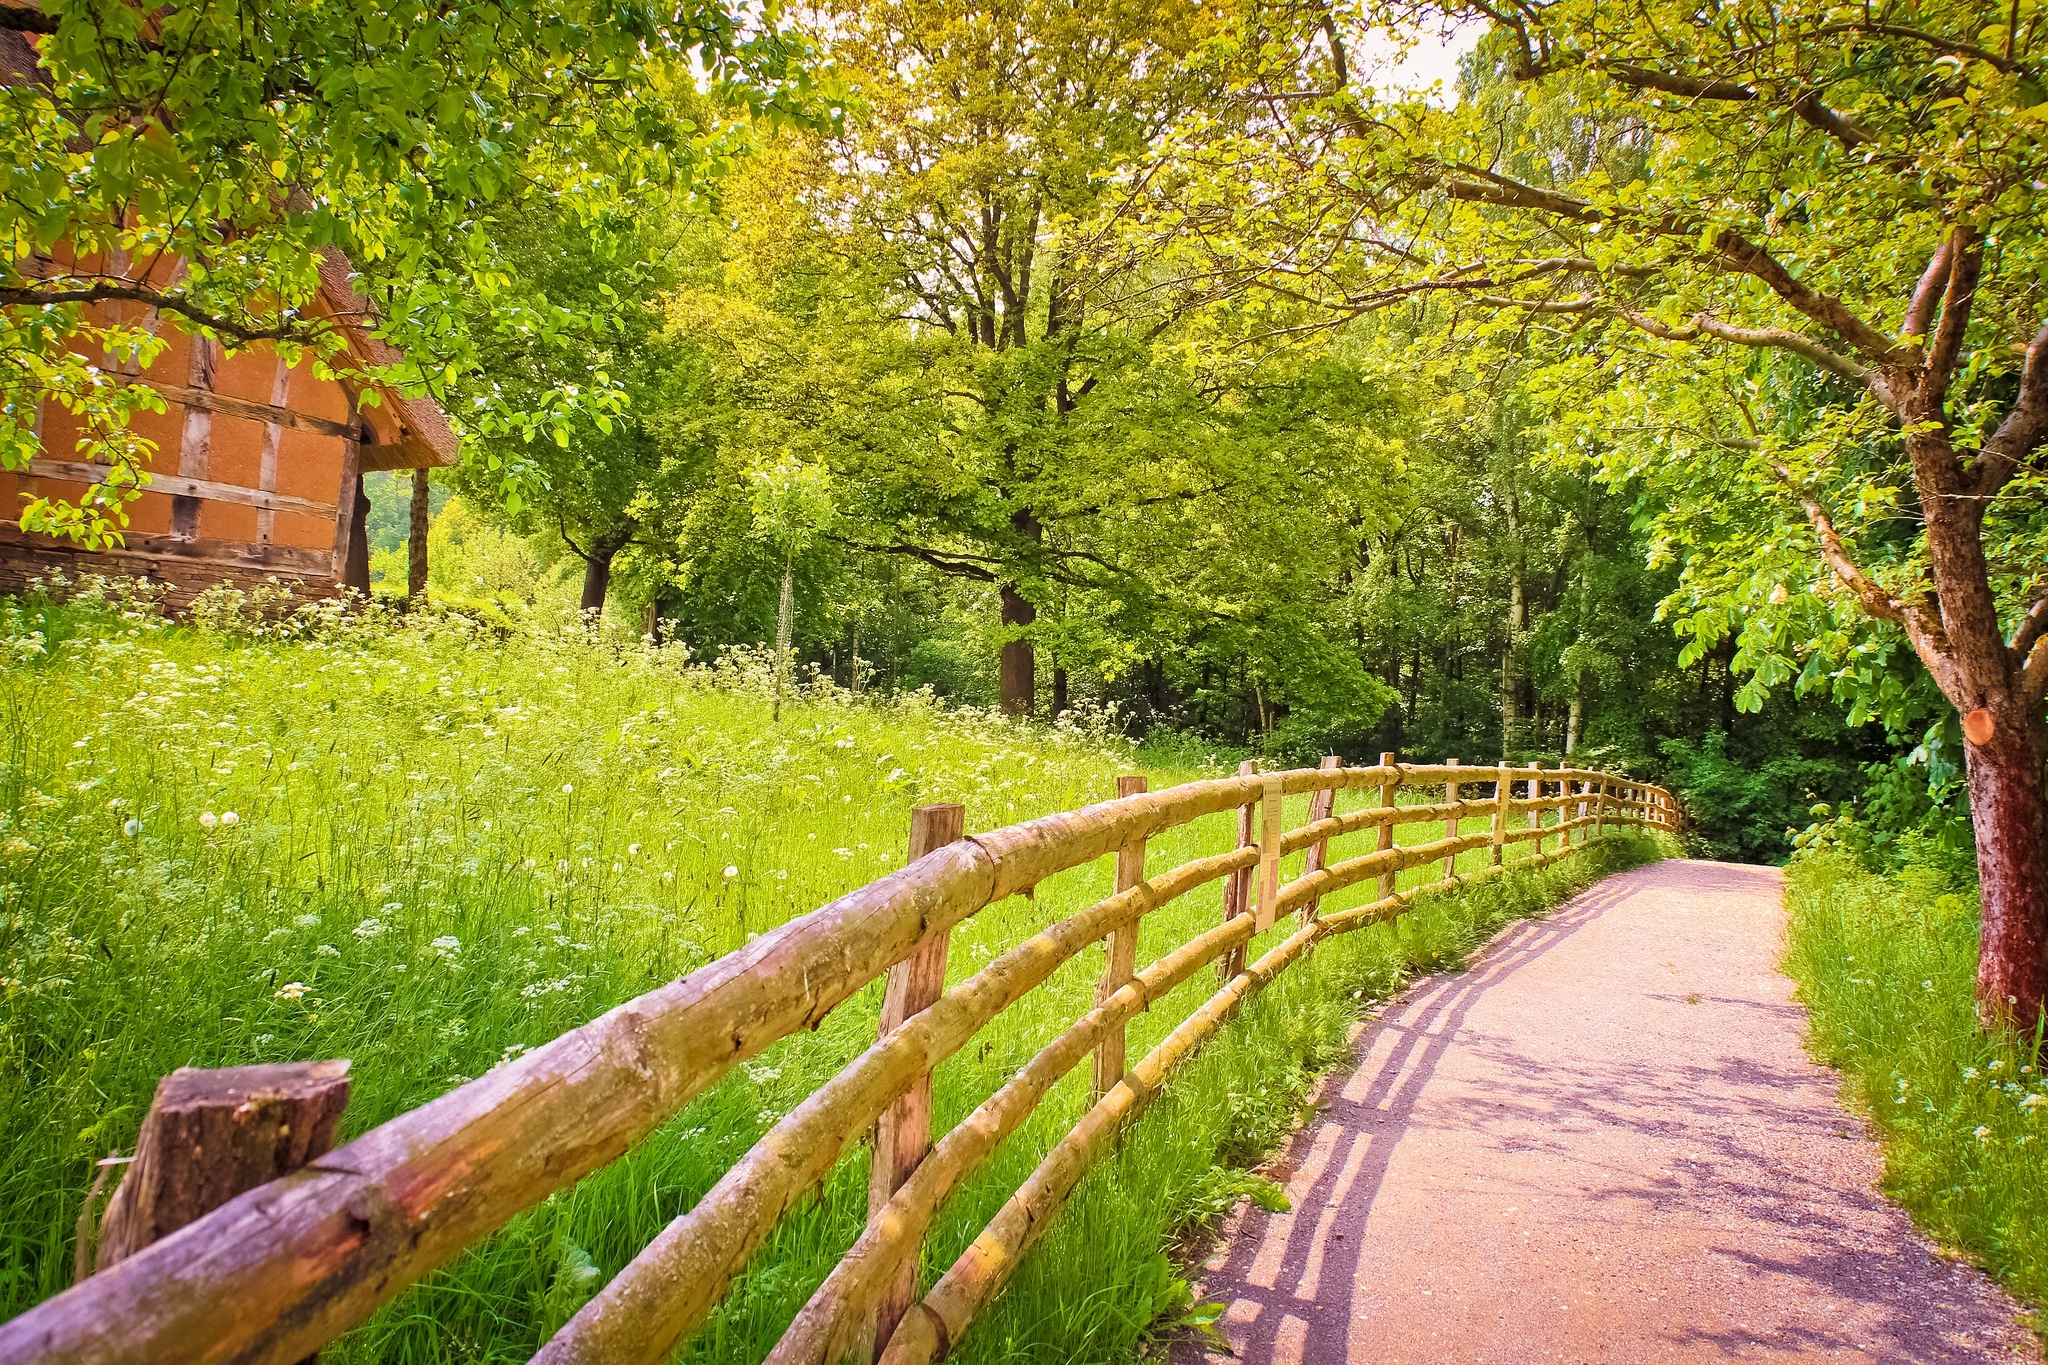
{"points": [[1799, 251]]}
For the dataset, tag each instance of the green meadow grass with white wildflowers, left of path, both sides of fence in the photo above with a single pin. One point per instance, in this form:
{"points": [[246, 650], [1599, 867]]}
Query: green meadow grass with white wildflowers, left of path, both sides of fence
{"points": [[454, 844]]}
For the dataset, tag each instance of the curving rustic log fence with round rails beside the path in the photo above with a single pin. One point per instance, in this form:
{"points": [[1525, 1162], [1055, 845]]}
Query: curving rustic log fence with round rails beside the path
{"points": [[286, 1268]]}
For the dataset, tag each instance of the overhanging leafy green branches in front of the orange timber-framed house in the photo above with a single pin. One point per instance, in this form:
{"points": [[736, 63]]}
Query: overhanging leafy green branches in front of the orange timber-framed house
{"points": [[204, 163]]}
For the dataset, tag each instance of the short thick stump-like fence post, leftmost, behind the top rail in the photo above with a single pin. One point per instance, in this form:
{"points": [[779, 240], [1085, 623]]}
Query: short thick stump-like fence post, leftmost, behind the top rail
{"points": [[214, 1135]]}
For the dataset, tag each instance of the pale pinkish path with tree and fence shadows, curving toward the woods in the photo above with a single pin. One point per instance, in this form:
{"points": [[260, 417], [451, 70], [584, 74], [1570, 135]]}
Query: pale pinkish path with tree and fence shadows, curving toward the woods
{"points": [[1601, 1145]]}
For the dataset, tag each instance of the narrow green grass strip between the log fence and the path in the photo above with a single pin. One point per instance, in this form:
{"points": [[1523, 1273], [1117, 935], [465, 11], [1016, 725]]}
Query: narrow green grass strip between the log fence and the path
{"points": [[1105, 1282]]}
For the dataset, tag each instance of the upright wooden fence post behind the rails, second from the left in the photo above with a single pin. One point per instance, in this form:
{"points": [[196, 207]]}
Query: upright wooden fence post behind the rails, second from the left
{"points": [[904, 1133]]}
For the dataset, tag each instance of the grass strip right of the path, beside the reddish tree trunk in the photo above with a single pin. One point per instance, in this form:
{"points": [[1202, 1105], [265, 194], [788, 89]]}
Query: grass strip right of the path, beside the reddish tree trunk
{"points": [[1887, 969]]}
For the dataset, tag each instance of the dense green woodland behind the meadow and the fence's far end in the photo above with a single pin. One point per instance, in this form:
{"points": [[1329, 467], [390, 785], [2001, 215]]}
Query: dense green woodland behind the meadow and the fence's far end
{"points": [[914, 390]]}
